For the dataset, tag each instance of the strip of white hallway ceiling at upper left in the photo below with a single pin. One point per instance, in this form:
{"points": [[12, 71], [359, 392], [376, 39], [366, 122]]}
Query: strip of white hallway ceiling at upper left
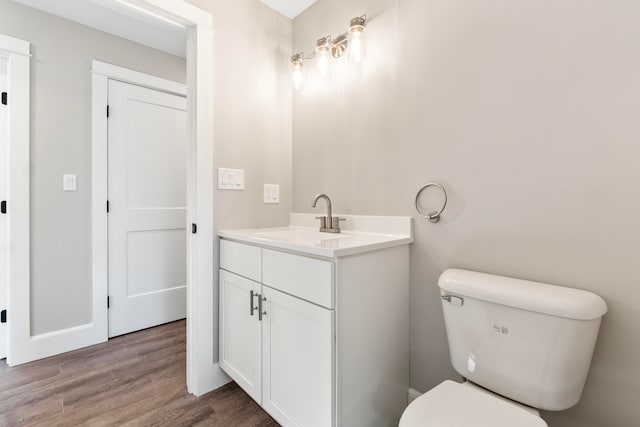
{"points": [[119, 19]]}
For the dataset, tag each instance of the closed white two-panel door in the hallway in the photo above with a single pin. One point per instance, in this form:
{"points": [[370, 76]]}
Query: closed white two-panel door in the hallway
{"points": [[147, 136]]}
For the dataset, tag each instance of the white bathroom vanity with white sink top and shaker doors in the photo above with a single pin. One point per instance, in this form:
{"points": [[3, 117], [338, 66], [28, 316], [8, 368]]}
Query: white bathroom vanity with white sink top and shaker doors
{"points": [[315, 326]]}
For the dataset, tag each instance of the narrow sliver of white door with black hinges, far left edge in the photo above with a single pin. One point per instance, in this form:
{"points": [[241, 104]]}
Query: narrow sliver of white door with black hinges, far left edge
{"points": [[3, 218]]}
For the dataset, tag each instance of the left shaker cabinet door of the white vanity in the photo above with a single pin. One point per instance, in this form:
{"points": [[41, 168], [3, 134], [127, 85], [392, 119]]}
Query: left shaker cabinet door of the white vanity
{"points": [[240, 333]]}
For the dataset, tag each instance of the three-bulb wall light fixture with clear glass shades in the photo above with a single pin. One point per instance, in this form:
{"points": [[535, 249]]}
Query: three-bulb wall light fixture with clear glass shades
{"points": [[352, 41]]}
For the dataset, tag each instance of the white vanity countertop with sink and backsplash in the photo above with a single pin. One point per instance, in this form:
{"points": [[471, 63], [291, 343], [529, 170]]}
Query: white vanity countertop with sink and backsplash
{"points": [[359, 234]]}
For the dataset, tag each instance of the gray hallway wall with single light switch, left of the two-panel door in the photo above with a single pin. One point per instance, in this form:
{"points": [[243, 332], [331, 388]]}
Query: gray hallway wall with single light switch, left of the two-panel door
{"points": [[61, 144]]}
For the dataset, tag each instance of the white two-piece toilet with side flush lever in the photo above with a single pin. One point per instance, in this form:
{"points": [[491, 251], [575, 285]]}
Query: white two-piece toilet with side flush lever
{"points": [[520, 346]]}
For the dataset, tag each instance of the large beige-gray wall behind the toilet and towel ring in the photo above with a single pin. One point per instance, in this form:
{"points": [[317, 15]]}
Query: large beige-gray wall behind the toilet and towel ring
{"points": [[526, 111]]}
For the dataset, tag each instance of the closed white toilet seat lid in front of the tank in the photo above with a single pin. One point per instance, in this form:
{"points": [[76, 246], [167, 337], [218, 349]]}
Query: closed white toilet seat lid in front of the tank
{"points": [[454, 404]]}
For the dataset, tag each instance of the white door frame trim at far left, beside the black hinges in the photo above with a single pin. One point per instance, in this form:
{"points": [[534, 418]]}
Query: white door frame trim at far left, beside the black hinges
{"points": [[18, 56]]}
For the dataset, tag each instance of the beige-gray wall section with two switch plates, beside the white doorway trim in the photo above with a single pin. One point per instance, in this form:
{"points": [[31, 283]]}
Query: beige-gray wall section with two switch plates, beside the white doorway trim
{"points": [[252, 117]]}
